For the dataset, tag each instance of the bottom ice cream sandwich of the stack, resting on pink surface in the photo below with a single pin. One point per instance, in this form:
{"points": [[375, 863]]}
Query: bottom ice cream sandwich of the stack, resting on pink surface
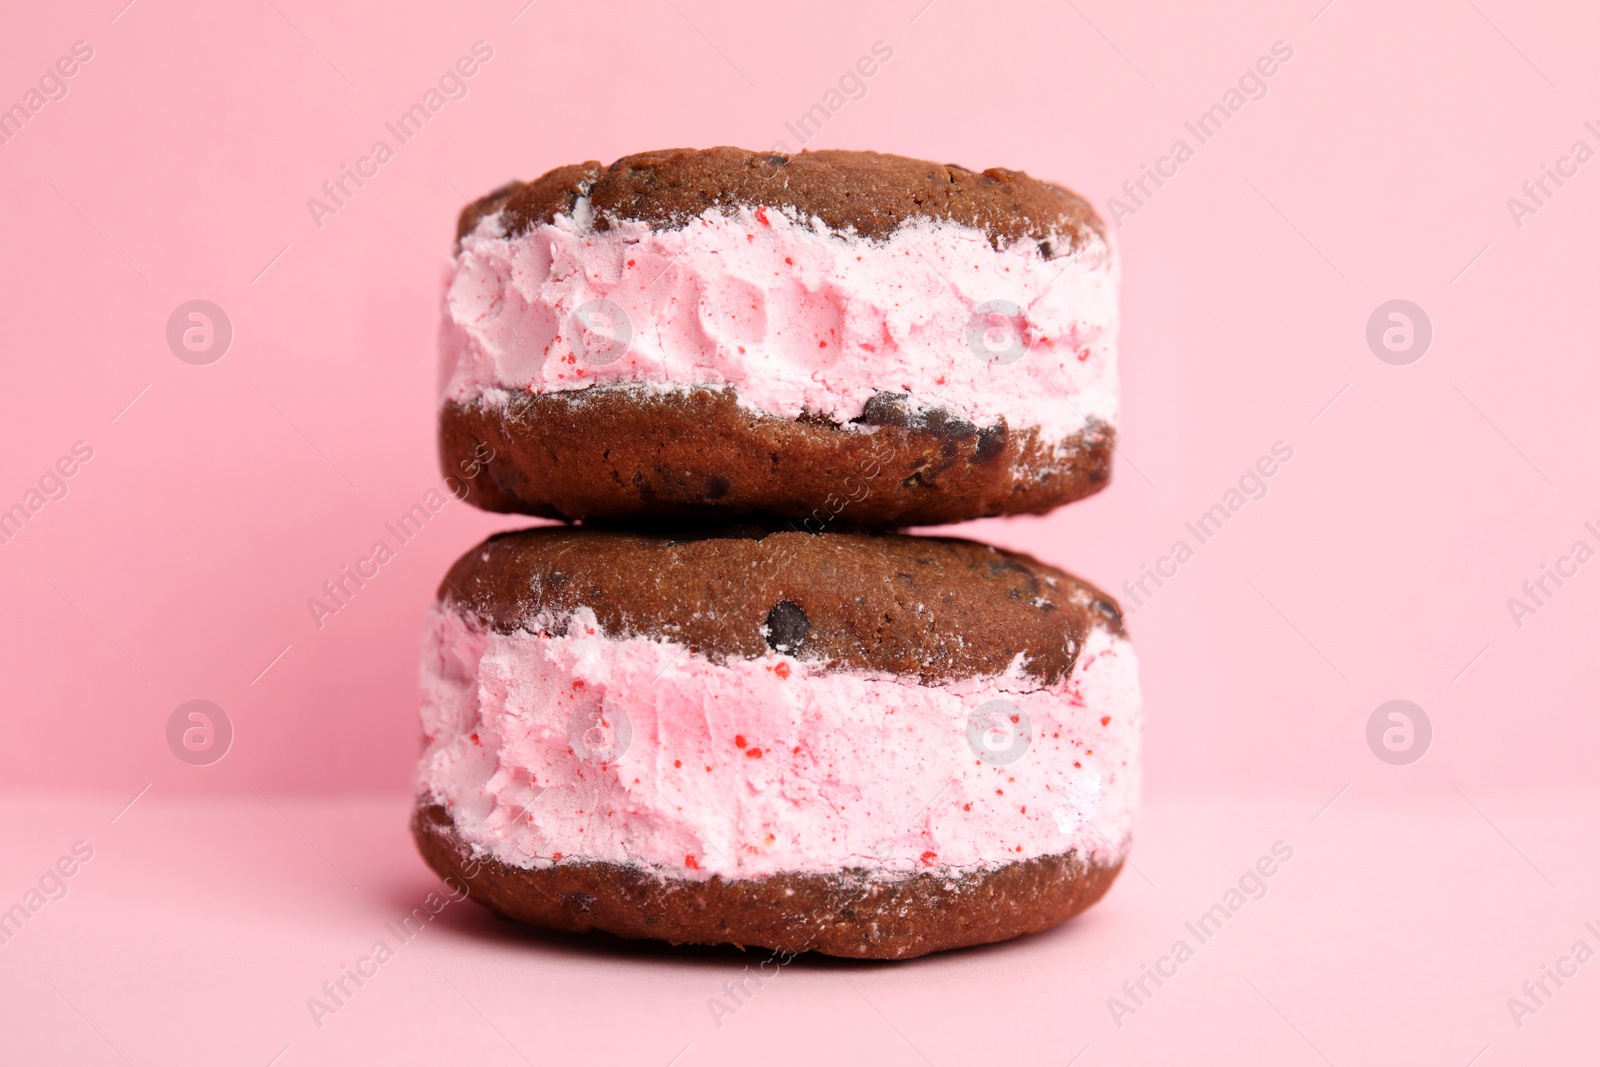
{"points": [[858, 745]]}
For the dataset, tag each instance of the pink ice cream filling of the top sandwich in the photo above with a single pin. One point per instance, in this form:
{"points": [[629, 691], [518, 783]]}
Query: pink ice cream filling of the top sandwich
{"points": [[791, 316]]}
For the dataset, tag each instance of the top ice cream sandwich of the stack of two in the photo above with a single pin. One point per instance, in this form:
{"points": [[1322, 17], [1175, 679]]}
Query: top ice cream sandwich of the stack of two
{"points": [[722, 334]]}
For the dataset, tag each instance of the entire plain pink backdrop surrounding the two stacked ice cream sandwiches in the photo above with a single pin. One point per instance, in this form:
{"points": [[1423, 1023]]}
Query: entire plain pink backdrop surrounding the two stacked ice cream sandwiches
{"points": [[1378, 567]]}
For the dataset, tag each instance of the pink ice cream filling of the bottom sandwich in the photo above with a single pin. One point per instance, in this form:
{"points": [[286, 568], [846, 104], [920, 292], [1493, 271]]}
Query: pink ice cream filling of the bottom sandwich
{"points": [[641, 753]]}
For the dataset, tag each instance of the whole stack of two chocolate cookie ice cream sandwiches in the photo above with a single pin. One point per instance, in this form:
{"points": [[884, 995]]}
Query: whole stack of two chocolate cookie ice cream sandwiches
{"points": [[727, 703]]}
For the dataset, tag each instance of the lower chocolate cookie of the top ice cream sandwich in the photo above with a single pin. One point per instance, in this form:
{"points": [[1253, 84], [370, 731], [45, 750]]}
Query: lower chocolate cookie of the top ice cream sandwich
{"points": [[609, 454]]}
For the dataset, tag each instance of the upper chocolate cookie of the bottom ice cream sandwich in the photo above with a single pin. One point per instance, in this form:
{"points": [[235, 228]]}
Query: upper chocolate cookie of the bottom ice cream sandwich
{"points": [[930, 610]]}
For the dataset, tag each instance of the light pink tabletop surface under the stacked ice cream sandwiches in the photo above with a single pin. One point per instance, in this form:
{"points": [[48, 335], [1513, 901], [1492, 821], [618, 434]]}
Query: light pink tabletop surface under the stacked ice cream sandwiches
{"points": [[1393, 937]]}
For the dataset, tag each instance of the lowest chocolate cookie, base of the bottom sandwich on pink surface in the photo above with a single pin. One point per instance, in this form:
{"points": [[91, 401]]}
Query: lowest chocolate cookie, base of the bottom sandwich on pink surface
{"points": [[847, 914]]}
